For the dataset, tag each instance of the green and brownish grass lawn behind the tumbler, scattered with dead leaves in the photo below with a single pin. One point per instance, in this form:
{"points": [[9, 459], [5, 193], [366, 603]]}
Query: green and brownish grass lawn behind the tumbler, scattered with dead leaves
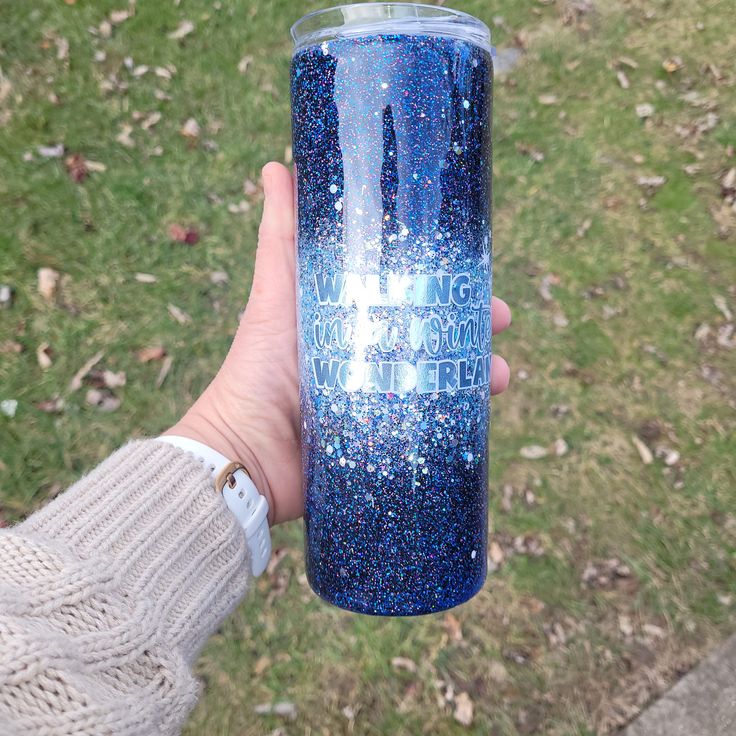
{"points": [[634, 276]]}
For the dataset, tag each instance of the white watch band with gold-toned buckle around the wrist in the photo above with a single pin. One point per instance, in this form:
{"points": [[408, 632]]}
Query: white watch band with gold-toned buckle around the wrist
{"points": [[242, 498]]}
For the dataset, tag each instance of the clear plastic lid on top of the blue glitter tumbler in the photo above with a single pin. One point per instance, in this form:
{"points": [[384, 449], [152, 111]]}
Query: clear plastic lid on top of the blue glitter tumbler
{"points": [[365, 19]]}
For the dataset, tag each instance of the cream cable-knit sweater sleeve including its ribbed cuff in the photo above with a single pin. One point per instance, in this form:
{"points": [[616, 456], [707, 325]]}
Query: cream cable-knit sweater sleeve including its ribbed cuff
{"points": [[108, 593]]}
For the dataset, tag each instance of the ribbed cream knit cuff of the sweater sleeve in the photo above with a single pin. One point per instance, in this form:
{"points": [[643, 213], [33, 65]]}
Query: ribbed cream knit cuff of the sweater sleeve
{"points": [[151, 516]]}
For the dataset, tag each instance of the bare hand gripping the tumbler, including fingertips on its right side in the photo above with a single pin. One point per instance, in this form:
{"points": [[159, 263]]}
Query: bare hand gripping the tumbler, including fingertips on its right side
{"points": [[250, 411]]}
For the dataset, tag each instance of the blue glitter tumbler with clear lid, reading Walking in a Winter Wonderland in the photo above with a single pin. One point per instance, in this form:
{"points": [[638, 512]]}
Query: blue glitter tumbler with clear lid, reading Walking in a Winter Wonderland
{"points": [[391, 111]]}
